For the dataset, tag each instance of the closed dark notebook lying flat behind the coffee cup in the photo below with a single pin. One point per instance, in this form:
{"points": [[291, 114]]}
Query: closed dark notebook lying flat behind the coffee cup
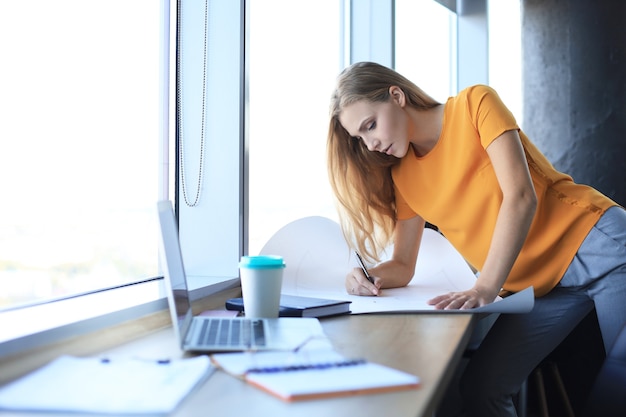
{"points": [[295, 306]]}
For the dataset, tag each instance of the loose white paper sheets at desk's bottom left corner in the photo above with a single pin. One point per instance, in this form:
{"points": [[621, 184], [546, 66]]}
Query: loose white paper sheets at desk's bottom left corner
{"points": [[116, 386]]}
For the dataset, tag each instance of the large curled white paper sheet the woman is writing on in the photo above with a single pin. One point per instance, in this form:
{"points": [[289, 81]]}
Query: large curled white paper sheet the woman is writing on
{"points": [[318, 259]]}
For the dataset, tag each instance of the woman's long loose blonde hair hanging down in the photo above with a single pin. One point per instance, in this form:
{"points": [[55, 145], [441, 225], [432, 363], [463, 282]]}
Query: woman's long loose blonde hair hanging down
{"points": [[361, 179]]}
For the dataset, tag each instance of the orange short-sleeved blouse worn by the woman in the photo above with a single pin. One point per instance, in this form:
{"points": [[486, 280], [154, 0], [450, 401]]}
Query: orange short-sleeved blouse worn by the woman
{"points": [[454, 187]]}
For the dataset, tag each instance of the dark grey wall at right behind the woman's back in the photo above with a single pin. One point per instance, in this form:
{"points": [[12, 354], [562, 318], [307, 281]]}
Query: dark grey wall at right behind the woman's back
{"points": [[574, 86]]}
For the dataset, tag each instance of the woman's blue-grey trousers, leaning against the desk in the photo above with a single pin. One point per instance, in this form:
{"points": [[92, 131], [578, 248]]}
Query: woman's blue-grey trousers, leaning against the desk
{"points": [[517, 343]]}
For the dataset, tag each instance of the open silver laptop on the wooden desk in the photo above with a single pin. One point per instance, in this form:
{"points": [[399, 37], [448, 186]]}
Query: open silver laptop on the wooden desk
{"points": [[220, 334]]}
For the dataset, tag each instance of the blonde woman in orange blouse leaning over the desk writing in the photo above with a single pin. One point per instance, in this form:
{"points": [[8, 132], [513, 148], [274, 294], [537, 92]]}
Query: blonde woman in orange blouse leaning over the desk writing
{"points": [[397, 159]]}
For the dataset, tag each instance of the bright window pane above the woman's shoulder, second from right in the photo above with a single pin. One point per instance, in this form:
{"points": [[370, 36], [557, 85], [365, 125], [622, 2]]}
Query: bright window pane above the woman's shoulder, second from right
{"points": [[425, 46]]}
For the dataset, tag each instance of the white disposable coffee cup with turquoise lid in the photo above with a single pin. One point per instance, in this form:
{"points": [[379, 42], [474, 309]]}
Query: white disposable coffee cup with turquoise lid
{"points": [[261, 283]]}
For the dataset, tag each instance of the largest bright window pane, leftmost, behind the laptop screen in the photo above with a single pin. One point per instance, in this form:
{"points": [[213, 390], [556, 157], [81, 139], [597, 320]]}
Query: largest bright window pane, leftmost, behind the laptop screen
{"points": [[79, 124]]}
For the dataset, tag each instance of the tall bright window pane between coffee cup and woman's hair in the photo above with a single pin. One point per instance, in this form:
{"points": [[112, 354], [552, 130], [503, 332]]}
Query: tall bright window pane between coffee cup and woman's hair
{"points": [[293, 66]]}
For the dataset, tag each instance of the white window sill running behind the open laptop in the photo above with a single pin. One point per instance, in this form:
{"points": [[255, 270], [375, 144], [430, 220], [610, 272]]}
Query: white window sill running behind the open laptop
{"points": [[33, 336]]}
